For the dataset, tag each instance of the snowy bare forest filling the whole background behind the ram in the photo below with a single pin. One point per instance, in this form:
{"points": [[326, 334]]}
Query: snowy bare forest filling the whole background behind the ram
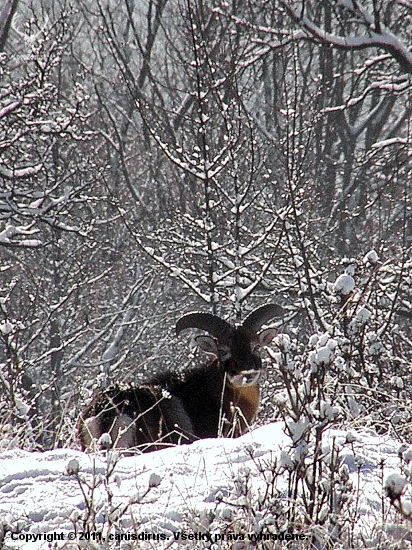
{"points": [[160, 156]]}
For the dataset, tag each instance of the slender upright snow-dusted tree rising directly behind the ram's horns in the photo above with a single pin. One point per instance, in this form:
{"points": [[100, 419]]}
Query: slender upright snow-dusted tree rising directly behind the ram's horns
{"points": [[194, 112]]}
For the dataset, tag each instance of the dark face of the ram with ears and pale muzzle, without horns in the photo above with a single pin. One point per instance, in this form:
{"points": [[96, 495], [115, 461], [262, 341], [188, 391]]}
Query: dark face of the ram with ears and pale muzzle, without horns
{"points": [[238, 353]]}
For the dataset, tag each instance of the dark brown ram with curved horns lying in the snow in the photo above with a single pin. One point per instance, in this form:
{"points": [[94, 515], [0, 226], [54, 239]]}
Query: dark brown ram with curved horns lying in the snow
{"points": [[220, 398]]}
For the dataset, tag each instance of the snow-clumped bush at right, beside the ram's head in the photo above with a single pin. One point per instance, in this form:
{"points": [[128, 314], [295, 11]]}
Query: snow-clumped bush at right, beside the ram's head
{"points": [[336, 376]]}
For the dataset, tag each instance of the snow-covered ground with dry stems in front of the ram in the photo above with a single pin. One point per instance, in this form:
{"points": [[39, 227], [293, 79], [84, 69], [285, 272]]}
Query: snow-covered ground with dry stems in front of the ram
{"points": [[216, 493]]}
